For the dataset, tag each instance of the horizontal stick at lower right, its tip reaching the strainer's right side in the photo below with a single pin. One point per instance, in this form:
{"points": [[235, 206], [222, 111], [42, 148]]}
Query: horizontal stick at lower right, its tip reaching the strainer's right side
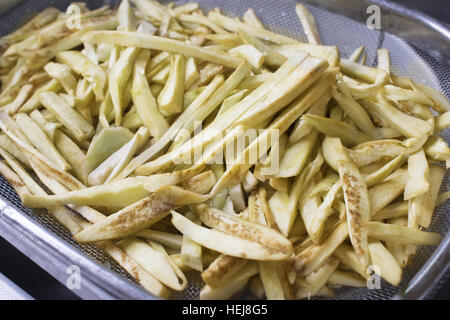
{"points": [[401, 235]]}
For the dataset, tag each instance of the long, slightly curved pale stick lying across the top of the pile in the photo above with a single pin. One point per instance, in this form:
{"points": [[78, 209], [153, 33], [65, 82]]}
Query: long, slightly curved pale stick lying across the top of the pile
{"points": [[132, 39]]}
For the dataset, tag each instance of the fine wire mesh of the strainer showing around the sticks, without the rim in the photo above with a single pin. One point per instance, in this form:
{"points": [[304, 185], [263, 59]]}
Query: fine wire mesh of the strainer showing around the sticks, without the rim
{"points": [[280, 17]]}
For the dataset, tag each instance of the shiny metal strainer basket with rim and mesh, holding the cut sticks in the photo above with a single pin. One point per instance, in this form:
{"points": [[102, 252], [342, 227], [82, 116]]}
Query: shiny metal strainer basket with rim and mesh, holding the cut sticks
{"points": [[420, 49]]}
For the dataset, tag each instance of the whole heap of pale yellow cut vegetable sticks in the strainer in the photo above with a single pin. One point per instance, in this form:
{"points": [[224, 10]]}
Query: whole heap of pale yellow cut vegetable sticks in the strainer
{"points": [[95, 118]]}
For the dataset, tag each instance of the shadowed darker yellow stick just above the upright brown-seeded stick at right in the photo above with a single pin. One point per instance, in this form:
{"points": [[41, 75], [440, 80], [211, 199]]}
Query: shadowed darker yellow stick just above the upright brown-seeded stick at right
{"points": [[334, 128]]}
